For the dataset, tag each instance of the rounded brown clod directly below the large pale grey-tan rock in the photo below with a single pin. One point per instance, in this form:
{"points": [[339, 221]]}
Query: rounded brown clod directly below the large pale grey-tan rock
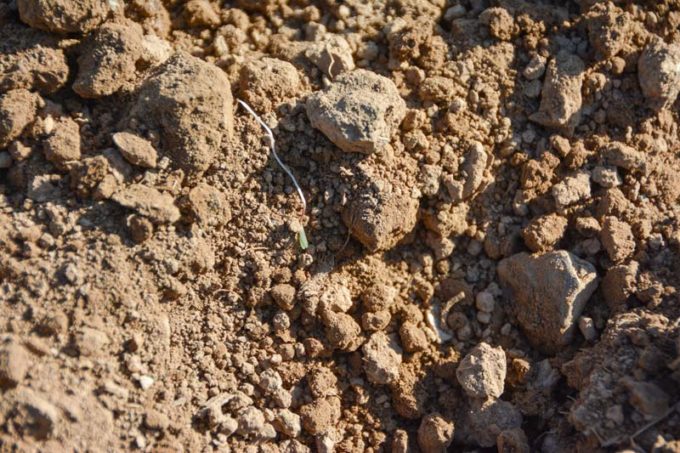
{"points": [[380, 216]]}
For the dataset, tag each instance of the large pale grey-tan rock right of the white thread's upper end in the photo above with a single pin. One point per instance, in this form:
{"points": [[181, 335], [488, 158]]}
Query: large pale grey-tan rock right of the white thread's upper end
{"points": [[359, 112]]}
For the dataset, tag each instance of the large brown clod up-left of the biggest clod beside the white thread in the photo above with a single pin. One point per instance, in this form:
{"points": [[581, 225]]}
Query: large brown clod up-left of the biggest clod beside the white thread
{"points": [[109, 59]]}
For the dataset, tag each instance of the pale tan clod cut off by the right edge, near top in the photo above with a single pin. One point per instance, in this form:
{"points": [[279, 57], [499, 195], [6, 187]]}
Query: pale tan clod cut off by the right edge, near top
{"points": [[659, 73]]}
